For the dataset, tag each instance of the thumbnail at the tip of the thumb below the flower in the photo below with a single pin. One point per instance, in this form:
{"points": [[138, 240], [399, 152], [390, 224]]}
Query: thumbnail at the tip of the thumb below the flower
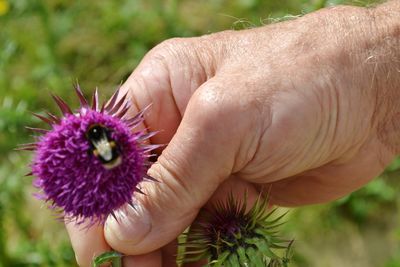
{"points": [[131, 226]]}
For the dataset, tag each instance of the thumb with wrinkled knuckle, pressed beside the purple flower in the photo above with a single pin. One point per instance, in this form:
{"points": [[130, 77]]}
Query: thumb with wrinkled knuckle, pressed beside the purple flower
{"points": [[198, 158]]}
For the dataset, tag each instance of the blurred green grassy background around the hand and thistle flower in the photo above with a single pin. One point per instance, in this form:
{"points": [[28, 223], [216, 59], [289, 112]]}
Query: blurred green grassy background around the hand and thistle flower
{"points": [[46, 45]]}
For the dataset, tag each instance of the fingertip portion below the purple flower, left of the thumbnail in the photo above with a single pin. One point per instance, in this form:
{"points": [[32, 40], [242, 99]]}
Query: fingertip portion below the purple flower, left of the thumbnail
{"points": [[86, 242]]}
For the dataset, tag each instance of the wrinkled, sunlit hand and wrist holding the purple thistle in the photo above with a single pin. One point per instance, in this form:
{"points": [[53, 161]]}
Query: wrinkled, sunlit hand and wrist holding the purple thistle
{"points": [[305, 109]]}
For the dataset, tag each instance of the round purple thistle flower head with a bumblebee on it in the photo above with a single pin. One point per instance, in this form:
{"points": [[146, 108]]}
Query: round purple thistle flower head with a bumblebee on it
{"points": [[90, 163]]}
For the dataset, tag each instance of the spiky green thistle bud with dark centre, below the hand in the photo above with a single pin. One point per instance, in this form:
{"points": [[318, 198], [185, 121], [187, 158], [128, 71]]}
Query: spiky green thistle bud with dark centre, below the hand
{"points": [[229, 235]]}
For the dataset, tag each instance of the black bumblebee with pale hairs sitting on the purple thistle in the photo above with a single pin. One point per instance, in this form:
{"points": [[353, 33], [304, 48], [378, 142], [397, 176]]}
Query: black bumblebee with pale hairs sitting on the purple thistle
{"points": [[103, 147]]}
